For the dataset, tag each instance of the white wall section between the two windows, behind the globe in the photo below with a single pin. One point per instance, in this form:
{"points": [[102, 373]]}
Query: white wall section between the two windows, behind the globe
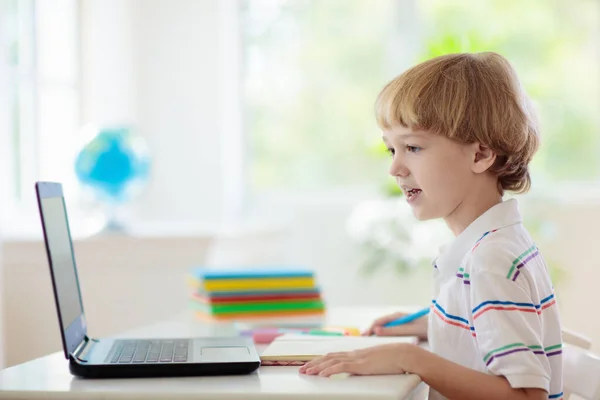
{"points": [[157, 64]]}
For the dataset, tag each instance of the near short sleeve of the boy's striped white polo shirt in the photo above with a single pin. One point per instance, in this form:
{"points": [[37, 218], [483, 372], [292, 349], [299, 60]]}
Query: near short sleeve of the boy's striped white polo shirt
{"points": [[508, 328]]}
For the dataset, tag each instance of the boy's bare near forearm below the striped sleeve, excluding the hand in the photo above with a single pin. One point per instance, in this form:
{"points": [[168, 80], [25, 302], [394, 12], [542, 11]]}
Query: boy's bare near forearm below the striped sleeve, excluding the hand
{"points": [[457, 382]]}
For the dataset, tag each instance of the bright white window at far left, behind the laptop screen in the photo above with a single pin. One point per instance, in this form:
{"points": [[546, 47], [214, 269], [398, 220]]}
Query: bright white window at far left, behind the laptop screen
{"points": [[40, 53]]}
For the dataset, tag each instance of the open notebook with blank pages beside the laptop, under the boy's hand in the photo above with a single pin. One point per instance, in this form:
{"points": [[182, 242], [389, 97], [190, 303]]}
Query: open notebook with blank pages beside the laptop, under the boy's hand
{"points": [[294, 349]]}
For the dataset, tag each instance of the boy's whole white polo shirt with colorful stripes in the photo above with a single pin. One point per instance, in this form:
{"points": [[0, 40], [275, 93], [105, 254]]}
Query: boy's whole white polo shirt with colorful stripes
{"points": [[494, 307]]}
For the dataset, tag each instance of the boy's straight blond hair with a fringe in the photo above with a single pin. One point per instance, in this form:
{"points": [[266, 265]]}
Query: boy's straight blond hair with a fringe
{"points": [[468, 98]]}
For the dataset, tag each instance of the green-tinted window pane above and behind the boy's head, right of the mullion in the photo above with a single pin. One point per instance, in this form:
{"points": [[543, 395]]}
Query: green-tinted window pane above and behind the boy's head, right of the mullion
{"points": [[555, 47]]}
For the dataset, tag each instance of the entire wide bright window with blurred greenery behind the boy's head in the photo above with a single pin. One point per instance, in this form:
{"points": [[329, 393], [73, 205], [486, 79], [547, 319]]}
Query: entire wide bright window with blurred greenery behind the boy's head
{"points": [[313, 70]]}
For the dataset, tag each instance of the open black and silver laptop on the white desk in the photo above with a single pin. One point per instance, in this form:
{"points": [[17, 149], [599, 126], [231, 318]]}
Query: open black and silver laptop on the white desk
{"points": [[123, 358]]}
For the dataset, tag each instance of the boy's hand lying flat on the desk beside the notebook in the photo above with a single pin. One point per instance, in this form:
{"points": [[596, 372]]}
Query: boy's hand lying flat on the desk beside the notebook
{"points": [[396, 358]]}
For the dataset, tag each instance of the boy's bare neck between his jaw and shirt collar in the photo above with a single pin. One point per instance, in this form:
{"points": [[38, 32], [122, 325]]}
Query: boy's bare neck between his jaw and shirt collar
{"points": [[471, 207]]}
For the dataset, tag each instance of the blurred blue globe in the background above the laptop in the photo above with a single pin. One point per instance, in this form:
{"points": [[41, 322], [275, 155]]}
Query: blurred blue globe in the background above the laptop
{"points": [[113, 164]]}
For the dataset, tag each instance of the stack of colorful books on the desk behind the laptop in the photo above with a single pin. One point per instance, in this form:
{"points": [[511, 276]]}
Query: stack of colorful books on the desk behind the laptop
{"points": [[234, 294]]}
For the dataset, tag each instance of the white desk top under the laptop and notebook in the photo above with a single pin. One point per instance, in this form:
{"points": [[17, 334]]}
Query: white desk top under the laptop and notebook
{"points": [[49, 378]]}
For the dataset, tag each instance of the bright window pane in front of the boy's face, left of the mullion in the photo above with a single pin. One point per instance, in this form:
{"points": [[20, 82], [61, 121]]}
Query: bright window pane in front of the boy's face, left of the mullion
{"points": [[312, 71]]}
